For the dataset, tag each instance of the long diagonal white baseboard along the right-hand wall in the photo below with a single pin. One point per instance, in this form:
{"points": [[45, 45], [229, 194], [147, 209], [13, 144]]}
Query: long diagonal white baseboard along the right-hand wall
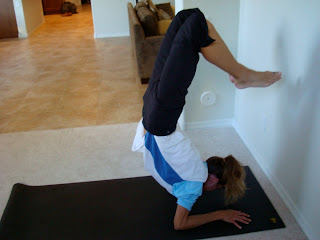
{"points": [[305, 226]]}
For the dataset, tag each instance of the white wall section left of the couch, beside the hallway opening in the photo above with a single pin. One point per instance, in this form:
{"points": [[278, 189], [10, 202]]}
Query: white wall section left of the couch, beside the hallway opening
{"points": [[110, 18]]}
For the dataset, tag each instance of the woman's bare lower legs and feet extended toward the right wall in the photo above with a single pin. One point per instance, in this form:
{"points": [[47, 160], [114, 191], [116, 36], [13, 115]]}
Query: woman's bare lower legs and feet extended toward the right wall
{"points": [[218, 54]]}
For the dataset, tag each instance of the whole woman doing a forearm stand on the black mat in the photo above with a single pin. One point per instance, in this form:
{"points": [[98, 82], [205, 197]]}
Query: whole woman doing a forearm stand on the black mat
{"points": [[169, 155]]}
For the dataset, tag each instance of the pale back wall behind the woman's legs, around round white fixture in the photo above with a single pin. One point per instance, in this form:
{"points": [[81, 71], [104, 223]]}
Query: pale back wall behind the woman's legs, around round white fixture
{"points": [[225, 17]]}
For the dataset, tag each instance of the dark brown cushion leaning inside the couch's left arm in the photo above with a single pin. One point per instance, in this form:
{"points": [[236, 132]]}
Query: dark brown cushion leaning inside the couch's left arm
{"points": [[148, 21]]}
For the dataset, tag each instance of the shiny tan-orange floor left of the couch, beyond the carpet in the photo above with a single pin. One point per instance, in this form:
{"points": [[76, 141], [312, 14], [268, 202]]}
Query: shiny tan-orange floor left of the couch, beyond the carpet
{"points": [[61, 77]]}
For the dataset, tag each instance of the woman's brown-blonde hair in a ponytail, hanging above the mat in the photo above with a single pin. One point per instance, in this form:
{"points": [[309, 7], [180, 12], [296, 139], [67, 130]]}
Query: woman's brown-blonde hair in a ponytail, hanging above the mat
{"points": [[231, 175]]}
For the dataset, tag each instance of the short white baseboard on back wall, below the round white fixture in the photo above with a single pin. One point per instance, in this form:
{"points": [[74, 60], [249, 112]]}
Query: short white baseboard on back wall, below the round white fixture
{"points": [[206, 124]]}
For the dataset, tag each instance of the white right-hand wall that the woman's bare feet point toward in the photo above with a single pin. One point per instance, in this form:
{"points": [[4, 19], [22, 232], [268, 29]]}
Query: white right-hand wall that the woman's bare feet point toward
{"points": [[280, 124]]}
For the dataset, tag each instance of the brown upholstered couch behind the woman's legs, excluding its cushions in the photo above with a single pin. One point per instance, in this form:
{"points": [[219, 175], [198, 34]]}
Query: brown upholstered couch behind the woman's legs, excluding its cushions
{"points": [[144, 47]]}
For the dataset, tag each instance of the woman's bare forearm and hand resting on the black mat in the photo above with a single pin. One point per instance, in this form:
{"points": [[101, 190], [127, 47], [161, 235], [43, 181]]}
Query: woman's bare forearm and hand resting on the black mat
{"points": [[183, 221]]}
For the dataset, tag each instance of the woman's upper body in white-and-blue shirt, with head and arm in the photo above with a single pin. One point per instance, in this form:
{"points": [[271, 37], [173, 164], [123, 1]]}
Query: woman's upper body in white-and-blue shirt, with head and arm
{"points": [[176, 165]]}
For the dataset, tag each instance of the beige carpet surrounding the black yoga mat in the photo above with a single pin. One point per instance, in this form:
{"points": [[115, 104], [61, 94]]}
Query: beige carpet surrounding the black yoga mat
{"points": [[104, 152]]}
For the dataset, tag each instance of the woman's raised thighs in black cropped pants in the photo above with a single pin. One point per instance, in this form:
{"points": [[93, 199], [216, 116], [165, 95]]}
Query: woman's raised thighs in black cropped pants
{"points": [[173, 72]]}
